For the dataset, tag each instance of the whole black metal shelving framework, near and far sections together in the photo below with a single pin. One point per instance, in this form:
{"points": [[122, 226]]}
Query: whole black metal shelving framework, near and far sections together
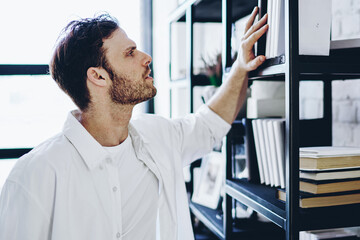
{"points": [[290, 68]]}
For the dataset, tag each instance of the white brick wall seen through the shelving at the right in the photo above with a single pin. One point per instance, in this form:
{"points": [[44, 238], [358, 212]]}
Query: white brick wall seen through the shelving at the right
{"points": [[345, 93]]}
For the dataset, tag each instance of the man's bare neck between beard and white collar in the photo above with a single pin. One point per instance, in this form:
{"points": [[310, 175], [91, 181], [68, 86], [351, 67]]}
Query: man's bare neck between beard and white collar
{"points": [[109, 126]]}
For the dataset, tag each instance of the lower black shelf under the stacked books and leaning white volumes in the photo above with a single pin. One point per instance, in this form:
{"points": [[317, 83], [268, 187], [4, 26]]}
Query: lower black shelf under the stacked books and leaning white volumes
{"points": [[263, 200]]}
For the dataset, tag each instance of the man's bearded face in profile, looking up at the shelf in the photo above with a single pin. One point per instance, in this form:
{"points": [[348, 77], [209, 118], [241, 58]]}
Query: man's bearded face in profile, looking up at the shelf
{"points": [[131, 83]]}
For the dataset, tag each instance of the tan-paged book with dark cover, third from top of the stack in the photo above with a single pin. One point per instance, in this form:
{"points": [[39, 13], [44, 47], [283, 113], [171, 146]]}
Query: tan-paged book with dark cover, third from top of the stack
{"points": [[329, 186]]}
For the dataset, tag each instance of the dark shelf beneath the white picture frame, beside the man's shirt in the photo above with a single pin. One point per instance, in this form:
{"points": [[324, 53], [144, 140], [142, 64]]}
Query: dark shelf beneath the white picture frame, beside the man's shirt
{"points": [[210, 218]]}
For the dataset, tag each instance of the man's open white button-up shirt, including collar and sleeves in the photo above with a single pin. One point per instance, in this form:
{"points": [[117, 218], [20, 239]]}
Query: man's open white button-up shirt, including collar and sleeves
{"points": [[59, 191]]}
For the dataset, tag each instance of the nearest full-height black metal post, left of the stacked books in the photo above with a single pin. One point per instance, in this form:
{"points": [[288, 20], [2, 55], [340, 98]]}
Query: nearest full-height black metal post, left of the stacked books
{"points": [[292, 76]]}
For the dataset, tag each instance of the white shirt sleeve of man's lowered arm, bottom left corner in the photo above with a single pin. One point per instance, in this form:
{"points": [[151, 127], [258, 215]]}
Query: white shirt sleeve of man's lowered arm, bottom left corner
{"points": [[21, 216]]}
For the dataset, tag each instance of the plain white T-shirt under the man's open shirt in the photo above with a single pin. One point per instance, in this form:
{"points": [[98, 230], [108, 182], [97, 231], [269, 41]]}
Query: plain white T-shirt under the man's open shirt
{"points": [[134, 184]]}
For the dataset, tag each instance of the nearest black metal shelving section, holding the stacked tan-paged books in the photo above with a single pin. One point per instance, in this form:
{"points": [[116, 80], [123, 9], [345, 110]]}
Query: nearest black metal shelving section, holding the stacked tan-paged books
{"points": [[341, 64]]}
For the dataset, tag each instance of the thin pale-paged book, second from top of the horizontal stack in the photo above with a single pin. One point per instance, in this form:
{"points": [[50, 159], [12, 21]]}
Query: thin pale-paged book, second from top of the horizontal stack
{"points": [[331, 174]]}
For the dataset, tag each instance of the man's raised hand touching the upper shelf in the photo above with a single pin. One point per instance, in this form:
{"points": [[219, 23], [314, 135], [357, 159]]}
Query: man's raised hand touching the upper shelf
{"points": [[246, 60]]}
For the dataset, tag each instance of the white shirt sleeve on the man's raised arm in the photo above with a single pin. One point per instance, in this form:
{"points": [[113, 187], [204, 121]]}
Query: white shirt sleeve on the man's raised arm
{"points": [[199, 132]]}
